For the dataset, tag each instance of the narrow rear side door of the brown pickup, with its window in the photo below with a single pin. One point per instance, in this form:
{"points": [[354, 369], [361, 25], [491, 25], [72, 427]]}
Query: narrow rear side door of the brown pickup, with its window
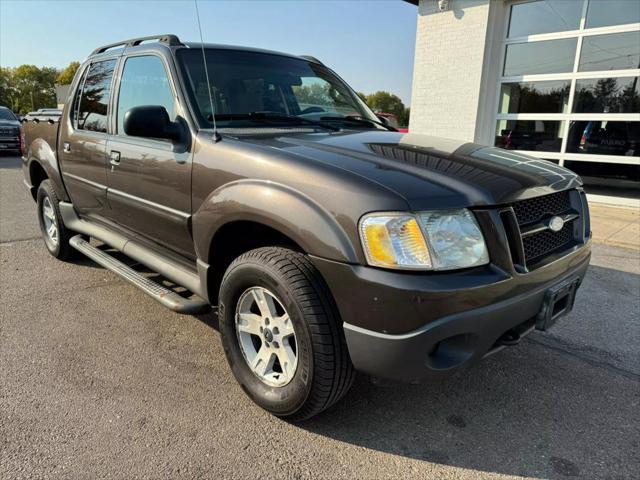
{"points": [[83, 138]]}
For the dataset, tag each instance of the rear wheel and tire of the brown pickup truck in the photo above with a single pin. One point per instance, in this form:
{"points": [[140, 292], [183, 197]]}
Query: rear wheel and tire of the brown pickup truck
{"points": [[54, 232]]}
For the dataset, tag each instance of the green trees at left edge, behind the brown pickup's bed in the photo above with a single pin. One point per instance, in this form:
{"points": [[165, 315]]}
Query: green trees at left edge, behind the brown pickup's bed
{"points": [[28, 87]]}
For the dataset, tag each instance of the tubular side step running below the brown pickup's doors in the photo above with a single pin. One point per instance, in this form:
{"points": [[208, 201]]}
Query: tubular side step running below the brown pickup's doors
{"points": [[166, 297]]}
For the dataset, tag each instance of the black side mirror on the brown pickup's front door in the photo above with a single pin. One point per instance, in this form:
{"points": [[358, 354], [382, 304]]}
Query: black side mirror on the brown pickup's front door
{"points": [[151, 121]]}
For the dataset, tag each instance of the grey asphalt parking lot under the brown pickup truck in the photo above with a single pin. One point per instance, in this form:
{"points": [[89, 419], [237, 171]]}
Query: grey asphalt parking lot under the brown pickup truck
{"points": [[99, 381]]}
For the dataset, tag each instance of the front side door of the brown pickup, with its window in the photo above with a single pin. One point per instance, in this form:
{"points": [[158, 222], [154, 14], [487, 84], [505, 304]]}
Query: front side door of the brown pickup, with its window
{"points": [[149, 179]]}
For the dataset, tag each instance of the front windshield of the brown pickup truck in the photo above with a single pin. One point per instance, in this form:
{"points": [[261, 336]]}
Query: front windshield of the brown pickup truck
{"points": [[245, 83]]}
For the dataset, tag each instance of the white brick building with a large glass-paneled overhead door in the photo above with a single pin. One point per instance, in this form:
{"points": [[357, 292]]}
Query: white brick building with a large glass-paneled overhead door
{"points": [[557, 79]]}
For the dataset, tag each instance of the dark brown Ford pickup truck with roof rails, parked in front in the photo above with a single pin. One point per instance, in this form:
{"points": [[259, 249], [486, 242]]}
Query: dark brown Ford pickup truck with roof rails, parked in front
{"points": [[328, 242]]}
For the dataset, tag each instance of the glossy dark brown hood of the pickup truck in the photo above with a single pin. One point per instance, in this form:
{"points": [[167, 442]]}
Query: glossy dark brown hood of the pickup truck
{"points": [[428, 171]]}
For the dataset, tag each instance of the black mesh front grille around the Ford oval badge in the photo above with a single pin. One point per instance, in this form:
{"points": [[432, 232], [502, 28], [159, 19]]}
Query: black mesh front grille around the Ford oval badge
{"points": [[532, 212]]}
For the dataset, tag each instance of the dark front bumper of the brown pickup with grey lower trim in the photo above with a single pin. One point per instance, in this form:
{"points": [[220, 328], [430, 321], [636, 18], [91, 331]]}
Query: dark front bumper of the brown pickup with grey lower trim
{"points": [[415, 327]]}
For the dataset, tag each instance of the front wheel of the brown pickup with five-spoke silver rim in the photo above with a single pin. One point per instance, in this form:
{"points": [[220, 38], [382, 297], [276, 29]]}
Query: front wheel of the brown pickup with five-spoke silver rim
{"points": [[282, 334]]}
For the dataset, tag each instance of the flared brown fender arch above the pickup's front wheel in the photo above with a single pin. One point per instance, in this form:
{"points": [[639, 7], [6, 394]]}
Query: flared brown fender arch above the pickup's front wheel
{"points": [[277, 206]]}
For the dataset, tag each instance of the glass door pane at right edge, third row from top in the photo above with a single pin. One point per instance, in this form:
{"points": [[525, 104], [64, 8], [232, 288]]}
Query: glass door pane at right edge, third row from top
{"points": [[607, 95]]}
